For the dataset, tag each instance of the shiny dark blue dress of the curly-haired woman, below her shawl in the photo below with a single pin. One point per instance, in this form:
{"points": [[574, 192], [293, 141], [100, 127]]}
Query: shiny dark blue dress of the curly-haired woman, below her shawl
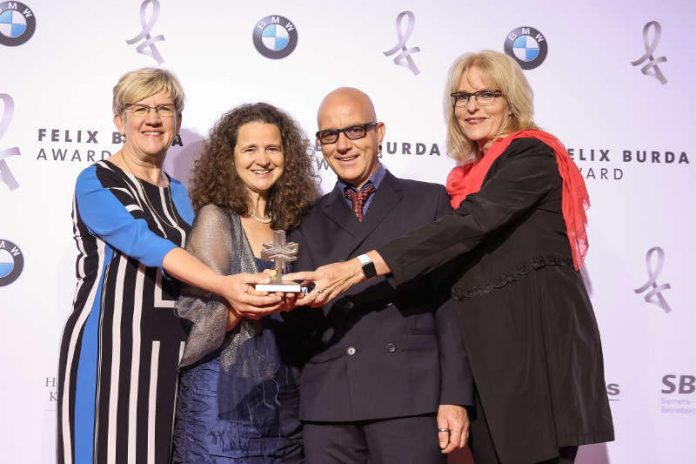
{"points": [[225, 416]]}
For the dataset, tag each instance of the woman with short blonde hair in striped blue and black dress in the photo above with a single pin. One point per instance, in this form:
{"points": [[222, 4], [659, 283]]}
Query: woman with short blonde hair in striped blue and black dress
{"points": [[122, 343]]}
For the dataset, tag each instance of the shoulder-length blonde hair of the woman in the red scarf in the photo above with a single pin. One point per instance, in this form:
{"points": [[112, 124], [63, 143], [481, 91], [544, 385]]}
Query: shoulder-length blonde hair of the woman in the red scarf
{"points": [[502, 73]]}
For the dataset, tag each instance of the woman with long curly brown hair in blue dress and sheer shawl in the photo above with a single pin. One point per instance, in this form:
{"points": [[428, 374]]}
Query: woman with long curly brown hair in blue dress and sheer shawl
{"points": [[238, 396]]}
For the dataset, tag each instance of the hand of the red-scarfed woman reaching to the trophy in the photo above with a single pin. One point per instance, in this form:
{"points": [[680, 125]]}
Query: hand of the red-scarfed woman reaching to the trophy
{"points": [[330, 281]]}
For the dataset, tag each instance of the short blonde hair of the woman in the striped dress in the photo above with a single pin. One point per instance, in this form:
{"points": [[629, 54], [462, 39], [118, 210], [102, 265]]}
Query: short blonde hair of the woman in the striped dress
{"points": [[145, 82]]}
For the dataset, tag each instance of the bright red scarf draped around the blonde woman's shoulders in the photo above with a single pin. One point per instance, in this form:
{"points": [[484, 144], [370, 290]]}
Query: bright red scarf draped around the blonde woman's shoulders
{"points": [[467, 179]]}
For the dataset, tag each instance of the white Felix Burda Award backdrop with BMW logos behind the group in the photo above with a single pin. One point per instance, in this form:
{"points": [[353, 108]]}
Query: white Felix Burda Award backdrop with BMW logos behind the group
{"points": [[613, 80]]}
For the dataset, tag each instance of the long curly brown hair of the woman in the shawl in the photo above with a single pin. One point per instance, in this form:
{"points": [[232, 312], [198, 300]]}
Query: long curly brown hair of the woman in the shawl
{"points": [[215, 179]]}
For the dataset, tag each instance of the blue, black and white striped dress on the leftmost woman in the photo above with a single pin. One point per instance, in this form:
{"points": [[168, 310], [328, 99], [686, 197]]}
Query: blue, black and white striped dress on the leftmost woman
{"points": [[122, 343]]}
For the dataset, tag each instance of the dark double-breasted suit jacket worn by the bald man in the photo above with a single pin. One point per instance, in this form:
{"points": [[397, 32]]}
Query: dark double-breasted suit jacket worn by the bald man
{"points": [[376, 352]]}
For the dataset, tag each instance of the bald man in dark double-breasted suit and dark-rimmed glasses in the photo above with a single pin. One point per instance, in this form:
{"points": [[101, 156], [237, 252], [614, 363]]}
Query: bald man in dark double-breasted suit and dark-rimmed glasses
{"points": [[387, 377]]}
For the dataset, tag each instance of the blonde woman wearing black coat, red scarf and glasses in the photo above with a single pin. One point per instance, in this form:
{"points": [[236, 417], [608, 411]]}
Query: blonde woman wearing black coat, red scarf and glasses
{"points": [[517, 235]]}
